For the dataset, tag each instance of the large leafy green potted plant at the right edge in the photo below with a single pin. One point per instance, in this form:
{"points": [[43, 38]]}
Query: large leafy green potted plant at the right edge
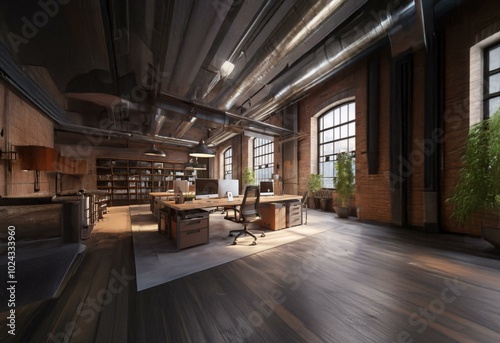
{"points": [[478, 188]]}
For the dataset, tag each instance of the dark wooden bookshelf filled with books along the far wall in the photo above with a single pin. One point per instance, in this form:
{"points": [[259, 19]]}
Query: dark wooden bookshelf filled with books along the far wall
{"points": [[129, 182]]}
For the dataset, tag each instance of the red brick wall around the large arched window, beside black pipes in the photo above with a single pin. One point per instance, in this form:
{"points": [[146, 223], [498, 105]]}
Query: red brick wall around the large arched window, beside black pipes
{"points": [[372, 190]]}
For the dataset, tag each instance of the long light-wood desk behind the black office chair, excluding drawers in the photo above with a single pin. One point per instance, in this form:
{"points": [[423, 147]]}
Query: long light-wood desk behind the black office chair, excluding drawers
{"points": [[171, 209]]}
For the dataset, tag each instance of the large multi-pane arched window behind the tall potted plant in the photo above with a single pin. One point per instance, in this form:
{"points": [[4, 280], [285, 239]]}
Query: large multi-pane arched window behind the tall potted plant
{"points": [[336, 133]]}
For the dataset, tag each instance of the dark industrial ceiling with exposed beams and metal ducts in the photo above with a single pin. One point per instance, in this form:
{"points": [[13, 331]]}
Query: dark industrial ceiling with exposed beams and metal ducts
{"points": [[155, 71]]}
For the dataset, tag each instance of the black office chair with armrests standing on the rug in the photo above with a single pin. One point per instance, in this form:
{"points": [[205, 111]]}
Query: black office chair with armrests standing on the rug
{"points": [[246, 213]]}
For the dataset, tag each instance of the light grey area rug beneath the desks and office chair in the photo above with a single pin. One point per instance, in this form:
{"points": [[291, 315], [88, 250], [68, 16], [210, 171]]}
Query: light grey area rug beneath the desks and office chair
{"points": [[158, 261]]}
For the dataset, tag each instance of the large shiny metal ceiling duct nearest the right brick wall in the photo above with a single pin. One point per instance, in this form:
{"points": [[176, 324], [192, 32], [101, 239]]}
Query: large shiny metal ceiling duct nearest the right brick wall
{"points": [[334, 55]]}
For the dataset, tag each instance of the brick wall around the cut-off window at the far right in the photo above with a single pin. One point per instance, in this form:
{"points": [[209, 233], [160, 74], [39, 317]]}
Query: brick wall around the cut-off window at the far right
{"points": [[467, 26]]}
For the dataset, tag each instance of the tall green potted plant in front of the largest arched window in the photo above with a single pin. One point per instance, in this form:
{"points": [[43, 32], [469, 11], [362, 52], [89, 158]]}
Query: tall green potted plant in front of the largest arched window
{"points": [[343, 184]]}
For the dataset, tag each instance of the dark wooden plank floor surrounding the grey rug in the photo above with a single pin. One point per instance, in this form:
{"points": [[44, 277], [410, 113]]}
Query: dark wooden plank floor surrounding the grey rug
{"points": [[355, 283]]}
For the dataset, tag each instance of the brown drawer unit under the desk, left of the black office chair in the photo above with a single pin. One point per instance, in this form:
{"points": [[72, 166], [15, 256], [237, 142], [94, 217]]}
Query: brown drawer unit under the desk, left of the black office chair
{"points": [[190, 229]]}
